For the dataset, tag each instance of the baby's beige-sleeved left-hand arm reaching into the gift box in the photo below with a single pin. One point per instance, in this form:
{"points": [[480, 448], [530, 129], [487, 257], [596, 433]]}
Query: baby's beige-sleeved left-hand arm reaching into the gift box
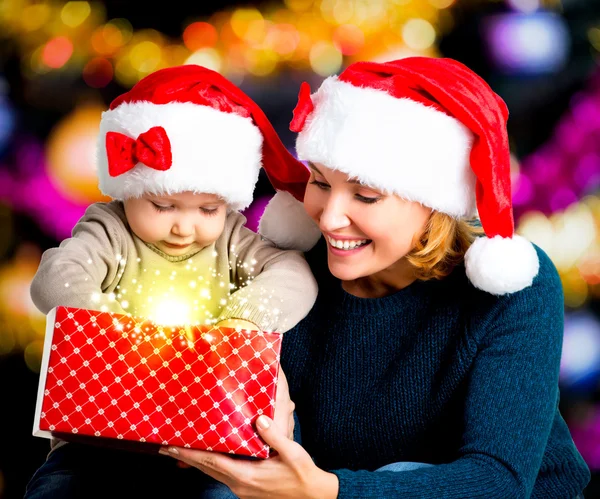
{"points": [[76, 273]]}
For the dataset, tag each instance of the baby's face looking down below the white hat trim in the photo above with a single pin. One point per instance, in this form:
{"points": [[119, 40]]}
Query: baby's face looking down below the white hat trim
{"points": [[177, 224]]}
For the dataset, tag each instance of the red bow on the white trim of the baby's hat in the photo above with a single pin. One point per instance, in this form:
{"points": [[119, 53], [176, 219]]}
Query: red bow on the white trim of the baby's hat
{"points": [[152, 148]]}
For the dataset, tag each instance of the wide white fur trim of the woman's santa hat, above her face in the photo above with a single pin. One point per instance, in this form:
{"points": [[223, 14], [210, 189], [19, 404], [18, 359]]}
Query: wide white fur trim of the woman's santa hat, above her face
{"points": [[394, 145]]}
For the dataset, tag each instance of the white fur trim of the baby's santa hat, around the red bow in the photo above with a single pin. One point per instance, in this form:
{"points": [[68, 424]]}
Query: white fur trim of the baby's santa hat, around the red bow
{"points": [[213, 152]]}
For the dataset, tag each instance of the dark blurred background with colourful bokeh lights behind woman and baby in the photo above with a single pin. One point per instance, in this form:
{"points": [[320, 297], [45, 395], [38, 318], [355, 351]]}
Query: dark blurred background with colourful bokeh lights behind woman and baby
{"points": [[61, 63]]}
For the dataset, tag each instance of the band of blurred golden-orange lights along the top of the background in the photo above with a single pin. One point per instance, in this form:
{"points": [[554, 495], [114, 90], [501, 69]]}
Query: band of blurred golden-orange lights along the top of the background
{"points": [[317, 35]]}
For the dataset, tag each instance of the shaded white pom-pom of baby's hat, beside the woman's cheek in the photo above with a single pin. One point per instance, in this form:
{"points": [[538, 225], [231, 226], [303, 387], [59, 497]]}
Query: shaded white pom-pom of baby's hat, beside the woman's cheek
{"points": [[285, 222]]}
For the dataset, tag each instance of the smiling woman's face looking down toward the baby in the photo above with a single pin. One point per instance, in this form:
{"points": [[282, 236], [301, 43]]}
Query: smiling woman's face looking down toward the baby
{"points": [[366, 231]]}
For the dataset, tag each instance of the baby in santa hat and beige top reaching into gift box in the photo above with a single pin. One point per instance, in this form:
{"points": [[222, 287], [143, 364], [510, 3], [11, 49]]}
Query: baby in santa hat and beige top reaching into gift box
{"points": [[180, 154]]}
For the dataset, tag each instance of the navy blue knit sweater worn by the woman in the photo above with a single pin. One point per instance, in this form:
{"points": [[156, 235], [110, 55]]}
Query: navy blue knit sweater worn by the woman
{"points": [[441, 373]]}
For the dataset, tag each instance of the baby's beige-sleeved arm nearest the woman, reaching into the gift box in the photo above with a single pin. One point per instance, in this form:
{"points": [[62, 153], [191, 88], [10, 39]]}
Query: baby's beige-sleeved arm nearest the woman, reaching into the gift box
{"points": [[276, 287]]}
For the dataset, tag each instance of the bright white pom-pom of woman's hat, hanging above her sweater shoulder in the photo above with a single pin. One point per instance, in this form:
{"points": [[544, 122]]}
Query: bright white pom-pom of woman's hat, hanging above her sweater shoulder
{"points": [[501, 265]]}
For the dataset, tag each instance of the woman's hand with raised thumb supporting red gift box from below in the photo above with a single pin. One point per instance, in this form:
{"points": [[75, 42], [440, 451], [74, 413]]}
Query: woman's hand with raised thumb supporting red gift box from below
{"points": [[289, 474]]}
